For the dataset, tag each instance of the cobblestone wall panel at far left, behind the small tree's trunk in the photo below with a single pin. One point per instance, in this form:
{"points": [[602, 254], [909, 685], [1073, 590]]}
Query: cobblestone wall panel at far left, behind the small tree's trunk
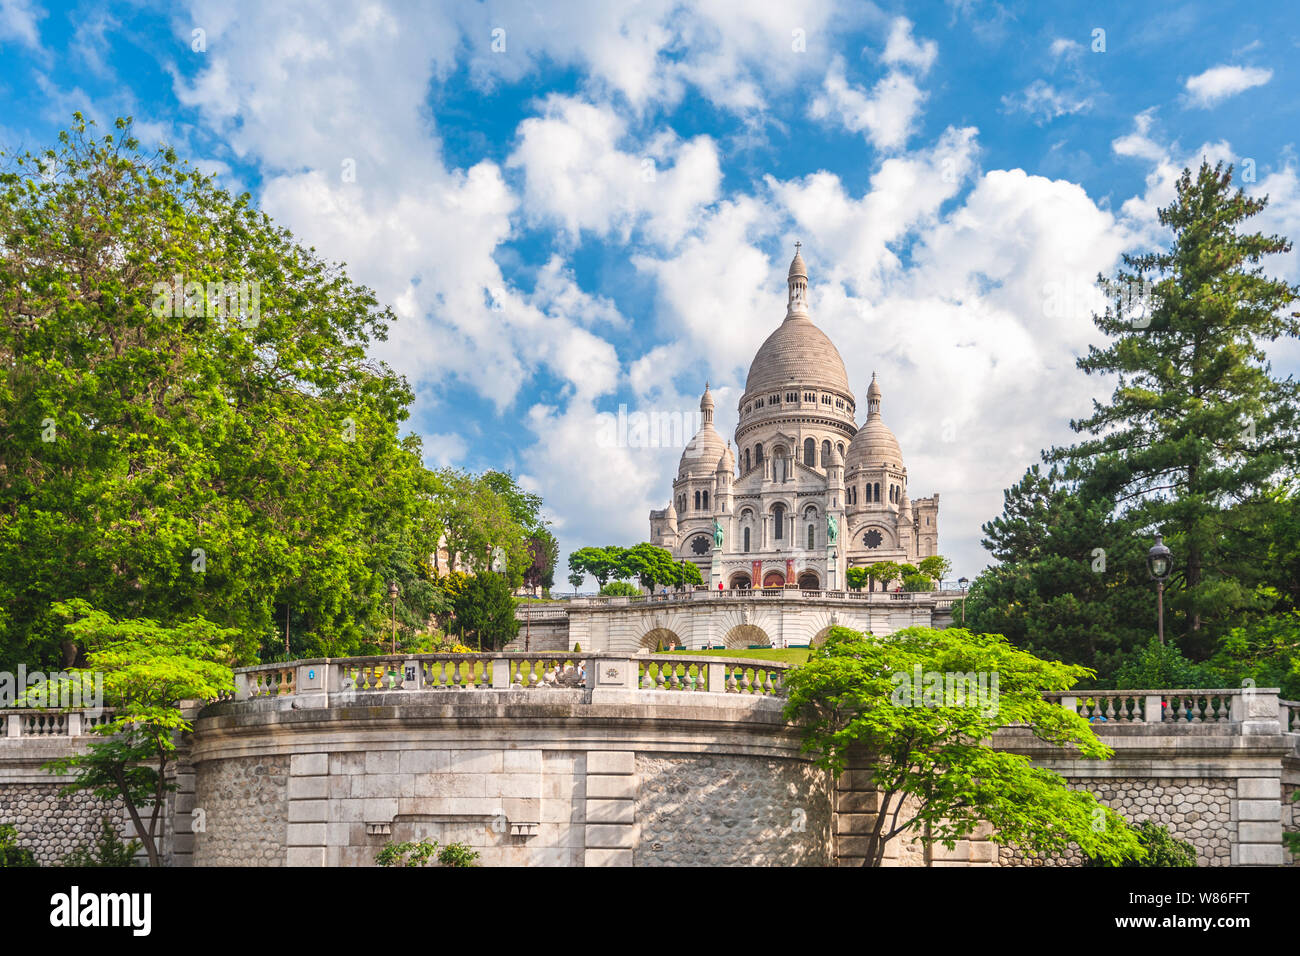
{"points": [[53, 827]]}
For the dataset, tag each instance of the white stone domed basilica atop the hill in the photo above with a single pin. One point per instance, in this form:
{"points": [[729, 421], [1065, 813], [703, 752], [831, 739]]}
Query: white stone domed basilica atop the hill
{"points": [[807, 494]]}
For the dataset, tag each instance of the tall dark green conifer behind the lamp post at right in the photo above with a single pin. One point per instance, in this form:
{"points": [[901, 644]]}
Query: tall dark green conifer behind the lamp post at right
{"points": [[1198, 427]]}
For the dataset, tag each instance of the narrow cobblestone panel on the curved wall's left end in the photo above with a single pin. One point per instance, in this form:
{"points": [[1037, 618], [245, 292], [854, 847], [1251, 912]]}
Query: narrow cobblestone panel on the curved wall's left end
{"points": [[245, 806]]}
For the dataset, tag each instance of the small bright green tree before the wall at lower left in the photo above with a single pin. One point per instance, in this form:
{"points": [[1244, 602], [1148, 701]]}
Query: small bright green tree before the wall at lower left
{"points": [[148, 672]]}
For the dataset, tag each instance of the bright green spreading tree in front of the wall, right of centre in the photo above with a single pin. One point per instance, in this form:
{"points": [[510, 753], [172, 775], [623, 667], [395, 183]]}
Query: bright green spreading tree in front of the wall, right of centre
{"points": [[933, 762]]}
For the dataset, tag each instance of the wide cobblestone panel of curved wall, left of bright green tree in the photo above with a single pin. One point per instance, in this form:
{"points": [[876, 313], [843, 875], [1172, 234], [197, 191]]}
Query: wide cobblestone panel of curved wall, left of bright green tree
{"points": [[730, 811]]}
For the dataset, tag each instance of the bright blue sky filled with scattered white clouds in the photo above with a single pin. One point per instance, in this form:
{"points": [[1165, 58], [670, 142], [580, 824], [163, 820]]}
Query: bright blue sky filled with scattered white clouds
{"points": [[579, 206]]}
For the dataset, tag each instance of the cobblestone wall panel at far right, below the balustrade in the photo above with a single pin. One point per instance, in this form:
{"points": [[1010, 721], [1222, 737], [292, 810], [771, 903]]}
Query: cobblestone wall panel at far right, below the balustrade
{"points": [[1194, 810]]}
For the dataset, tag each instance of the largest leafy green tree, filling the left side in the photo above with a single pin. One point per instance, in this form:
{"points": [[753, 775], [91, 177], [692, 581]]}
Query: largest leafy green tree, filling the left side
{"points": [[218, 445]]}
